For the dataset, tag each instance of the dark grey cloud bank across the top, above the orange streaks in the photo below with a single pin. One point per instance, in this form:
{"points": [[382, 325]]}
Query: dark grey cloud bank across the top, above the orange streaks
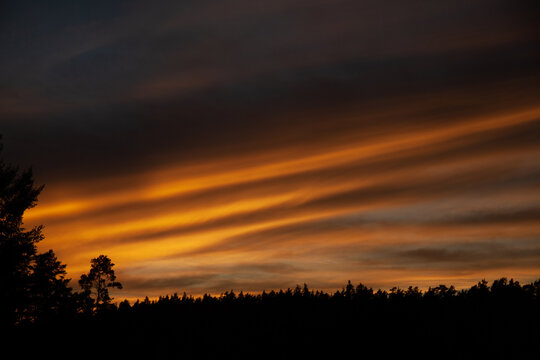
{"points": [[240, 71]]}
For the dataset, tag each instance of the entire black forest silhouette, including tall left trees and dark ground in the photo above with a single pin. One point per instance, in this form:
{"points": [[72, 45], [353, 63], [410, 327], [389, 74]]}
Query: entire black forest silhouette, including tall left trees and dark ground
{"points": [[41, 313]]}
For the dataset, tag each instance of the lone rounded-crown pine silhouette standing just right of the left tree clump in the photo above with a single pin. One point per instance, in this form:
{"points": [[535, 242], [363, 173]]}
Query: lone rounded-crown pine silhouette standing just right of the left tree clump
{"points": [[98, 281]]}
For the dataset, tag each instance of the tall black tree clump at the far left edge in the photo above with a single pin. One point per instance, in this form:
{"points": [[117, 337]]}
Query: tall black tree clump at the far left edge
{"points": [[26, 277]]}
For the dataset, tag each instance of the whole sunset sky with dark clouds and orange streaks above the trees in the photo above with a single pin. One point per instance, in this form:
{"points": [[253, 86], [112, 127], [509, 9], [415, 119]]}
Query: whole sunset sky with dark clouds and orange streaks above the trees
{"points": [[207, 145]]}
